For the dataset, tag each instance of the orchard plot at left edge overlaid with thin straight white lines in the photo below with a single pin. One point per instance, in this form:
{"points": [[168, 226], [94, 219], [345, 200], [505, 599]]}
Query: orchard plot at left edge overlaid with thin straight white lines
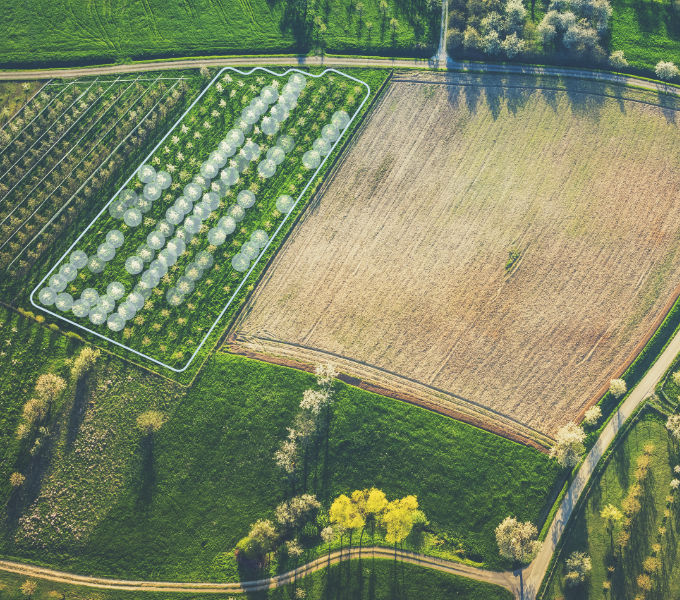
{"points": [[64, 147]]}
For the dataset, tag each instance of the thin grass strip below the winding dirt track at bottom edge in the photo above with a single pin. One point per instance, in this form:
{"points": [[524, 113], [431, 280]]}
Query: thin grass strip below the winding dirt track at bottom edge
{"points": [[380, 580]]}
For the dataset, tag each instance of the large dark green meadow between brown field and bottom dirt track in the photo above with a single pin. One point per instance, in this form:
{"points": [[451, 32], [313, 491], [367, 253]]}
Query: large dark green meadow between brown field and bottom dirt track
{"points": [[103, 507]]}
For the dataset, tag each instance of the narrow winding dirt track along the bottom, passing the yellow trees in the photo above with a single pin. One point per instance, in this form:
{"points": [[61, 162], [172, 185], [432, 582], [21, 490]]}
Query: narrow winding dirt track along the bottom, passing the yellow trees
{"points": [[506, 580]]}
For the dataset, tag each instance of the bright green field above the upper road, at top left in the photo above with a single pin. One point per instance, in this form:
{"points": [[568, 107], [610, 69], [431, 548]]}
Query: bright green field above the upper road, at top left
{"points": [[42, 31]]}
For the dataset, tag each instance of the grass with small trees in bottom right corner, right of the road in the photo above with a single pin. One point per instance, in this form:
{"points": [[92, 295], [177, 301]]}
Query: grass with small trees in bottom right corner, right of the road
{"points": [[588, 532]]}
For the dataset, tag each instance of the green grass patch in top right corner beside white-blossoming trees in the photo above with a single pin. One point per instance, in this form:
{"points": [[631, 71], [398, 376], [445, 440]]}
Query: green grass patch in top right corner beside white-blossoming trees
{"points": [[647, 31]]}
